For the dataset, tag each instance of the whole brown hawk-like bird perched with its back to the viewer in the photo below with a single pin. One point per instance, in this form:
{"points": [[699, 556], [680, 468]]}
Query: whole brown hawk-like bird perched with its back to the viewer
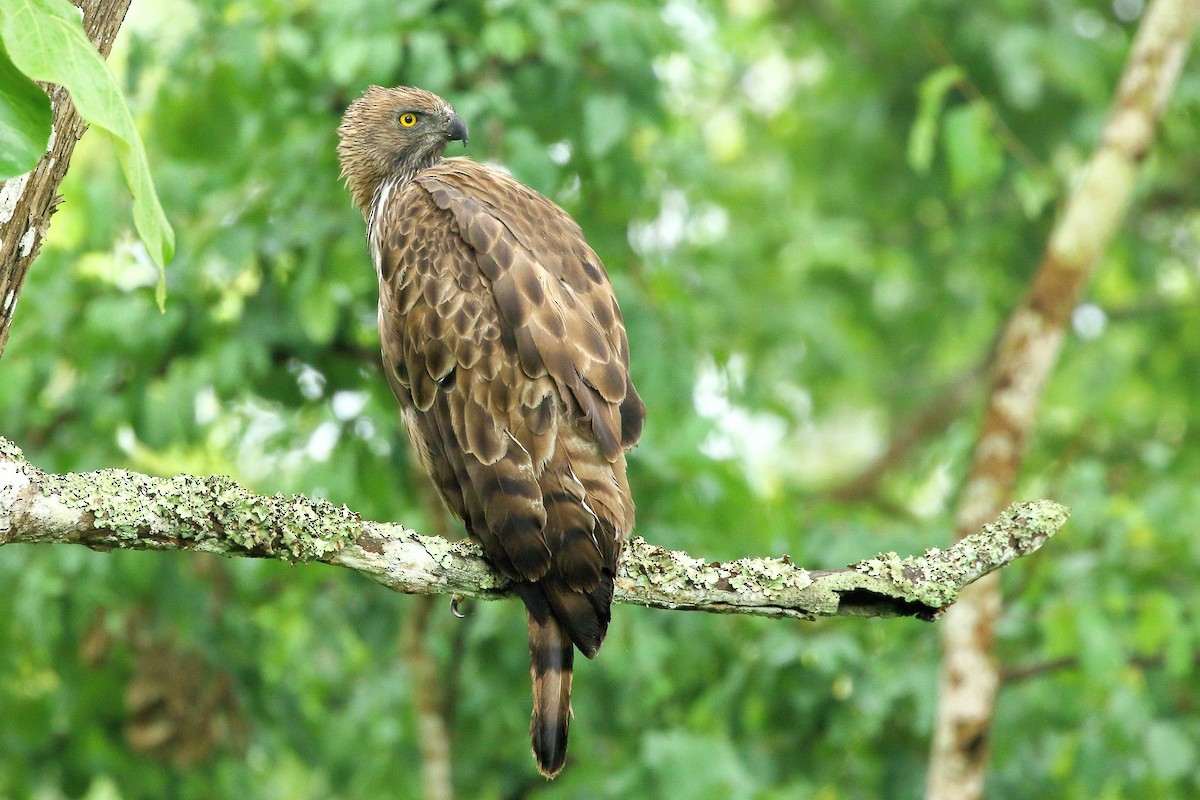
{"points": [[506, 348]]}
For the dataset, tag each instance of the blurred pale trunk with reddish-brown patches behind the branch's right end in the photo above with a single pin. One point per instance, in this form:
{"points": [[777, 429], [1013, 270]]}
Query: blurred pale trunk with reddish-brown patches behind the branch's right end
{"points": [[1028, 352]]}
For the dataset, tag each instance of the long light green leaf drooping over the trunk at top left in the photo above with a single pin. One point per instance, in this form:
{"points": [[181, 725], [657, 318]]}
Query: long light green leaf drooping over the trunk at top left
{"points": [[46, 41]]}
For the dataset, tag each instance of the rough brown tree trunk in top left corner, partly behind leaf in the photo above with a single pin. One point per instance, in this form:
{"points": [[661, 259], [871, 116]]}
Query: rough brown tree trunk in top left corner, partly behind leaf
{"points": [[28, 202]]}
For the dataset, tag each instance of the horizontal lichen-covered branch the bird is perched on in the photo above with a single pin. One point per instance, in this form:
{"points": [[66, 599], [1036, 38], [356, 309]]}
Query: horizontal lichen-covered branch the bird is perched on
{"points": [[118, 509]]}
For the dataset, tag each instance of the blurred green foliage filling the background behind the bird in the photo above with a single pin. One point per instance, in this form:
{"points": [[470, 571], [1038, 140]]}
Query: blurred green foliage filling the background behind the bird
{"points": [[817, 216]]}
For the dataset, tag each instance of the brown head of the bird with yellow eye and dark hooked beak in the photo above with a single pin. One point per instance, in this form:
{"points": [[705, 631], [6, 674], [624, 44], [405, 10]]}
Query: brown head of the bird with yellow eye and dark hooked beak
{"points": [[394, 134]]}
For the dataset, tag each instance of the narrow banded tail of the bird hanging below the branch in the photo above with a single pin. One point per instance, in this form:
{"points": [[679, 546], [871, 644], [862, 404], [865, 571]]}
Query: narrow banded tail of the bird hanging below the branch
{"points": [[551, 657]]}
